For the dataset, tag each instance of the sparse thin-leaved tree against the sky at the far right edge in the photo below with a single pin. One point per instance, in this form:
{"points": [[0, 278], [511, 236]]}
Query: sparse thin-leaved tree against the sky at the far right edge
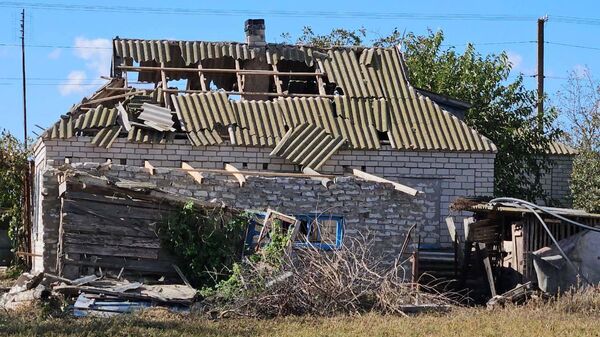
{"points": [[579, 102]]}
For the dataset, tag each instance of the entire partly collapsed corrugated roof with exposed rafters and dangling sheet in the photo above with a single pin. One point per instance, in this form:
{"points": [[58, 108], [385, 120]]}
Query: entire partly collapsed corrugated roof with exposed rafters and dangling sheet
{"points": [[291, 98]]}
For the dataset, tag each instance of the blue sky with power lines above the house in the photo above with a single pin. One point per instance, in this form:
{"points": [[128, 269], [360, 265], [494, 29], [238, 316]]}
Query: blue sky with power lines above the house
{"points": [[68, 44]]}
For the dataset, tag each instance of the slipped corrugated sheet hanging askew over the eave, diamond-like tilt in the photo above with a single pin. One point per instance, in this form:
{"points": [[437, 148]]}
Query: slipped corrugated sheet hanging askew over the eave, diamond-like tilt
{"points": [[307, 145]]}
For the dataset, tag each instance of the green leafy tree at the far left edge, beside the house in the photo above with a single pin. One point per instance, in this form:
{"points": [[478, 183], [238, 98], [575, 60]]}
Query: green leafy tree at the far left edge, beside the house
{"points": [[13, 167]]}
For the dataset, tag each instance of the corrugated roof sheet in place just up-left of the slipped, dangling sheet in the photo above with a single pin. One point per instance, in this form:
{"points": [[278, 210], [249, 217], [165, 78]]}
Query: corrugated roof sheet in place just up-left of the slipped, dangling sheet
{"points": [[259, 123]]}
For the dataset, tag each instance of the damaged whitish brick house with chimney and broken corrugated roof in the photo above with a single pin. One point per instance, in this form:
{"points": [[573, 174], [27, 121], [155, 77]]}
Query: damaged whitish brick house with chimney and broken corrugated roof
{"points": [[336, 134]]}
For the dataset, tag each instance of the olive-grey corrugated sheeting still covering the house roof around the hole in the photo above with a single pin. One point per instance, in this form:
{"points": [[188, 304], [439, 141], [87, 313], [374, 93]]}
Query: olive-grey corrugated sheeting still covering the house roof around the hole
{"points": [[376, 102]]}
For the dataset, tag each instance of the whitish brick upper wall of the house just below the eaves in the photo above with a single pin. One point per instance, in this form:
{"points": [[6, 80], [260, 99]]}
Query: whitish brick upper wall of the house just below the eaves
{"points": [[443, 176]]}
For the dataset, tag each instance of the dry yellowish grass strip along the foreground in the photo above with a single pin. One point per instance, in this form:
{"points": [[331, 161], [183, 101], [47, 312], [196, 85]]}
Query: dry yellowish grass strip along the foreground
{"points": [[575, 314]]}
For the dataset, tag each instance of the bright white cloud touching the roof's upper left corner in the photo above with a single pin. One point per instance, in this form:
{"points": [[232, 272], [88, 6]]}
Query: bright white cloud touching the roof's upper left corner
{"points": [[96, 53]]}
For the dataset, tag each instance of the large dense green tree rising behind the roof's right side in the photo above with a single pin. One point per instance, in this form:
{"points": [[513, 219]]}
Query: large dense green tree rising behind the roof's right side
{"points": [[502, 110]]}
